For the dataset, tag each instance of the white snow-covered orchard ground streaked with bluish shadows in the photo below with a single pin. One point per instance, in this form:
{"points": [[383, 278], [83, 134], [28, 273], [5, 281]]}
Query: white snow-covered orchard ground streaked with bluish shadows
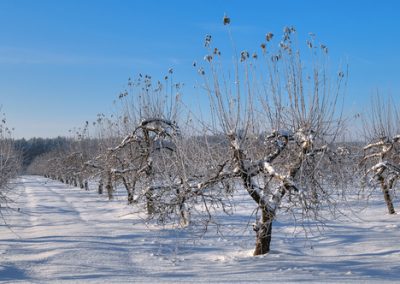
{"points": [[65, 234]]}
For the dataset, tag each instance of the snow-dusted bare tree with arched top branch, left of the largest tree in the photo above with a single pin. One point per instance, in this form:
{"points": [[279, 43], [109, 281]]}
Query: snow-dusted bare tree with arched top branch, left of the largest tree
{"points": [[146, 158]]}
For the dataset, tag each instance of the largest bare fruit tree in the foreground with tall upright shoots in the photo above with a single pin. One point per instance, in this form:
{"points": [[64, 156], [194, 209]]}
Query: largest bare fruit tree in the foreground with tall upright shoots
{"points": [[299, 117]]}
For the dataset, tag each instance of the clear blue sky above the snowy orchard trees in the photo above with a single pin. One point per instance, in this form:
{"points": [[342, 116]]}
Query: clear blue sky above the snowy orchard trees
{"points": [[64, 61]]}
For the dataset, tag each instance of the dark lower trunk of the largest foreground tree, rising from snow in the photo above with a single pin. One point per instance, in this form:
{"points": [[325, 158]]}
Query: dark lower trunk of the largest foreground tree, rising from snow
{"points": [[264, 233]]}
